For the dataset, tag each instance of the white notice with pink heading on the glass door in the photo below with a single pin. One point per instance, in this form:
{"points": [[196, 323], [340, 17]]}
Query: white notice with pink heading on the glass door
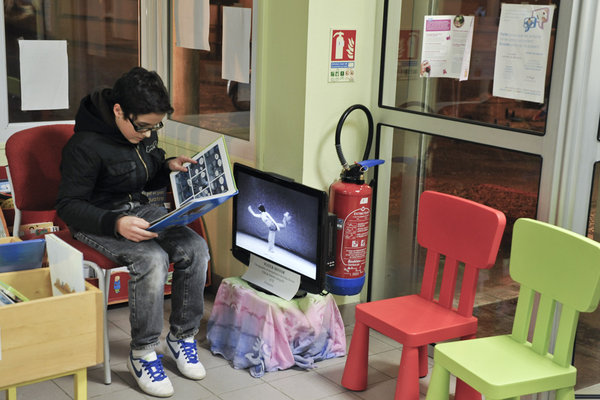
{"points": [[447, 42]]}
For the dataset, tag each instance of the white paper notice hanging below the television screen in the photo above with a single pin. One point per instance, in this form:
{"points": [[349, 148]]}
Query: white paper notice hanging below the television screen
{"points": [[271, 277]]}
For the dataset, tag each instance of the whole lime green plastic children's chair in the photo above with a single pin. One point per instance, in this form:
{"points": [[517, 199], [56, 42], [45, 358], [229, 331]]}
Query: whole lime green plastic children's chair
{"points": [[563, 268]]}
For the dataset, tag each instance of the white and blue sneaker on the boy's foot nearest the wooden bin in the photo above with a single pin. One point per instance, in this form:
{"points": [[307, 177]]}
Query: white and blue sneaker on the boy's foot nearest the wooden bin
{"points": [[149, 374]]}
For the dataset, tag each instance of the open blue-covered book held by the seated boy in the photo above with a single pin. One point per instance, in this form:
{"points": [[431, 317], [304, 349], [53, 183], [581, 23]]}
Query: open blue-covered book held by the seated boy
{"points": [[203, 187]]}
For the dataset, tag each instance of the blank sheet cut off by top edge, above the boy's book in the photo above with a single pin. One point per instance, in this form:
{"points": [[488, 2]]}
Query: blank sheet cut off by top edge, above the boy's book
{"points": [[192, 24]]}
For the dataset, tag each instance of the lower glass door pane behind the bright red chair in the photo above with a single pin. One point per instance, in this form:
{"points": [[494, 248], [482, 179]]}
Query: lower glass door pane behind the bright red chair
{"points": [[503, 179]]}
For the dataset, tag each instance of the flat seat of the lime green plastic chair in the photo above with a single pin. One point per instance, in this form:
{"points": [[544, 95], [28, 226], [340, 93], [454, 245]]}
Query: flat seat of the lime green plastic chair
{"points": [[498, 367]]}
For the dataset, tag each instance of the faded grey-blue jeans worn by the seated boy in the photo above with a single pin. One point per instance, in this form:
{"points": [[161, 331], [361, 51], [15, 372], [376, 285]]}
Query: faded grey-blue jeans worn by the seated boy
{"points": [[148, 264]]}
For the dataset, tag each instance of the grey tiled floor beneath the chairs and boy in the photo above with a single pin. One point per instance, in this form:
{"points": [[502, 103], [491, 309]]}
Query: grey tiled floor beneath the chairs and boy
{"points": [[224, 382]]}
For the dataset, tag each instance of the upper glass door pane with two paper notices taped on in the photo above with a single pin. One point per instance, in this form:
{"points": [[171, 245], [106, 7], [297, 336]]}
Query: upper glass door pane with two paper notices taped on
{"points": [[472, 99]]}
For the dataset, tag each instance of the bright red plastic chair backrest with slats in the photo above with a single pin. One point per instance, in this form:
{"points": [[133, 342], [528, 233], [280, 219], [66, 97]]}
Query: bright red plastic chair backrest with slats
{"points": [[462, 231]]}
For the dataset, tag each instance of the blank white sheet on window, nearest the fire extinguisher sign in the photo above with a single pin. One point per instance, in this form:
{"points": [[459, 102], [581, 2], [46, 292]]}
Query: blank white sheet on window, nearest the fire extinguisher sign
{"points": [[237, 22]]}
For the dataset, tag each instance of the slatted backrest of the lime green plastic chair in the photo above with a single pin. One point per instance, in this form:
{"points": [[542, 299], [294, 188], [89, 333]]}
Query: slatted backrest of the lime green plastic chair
{"points": [[560, 267]]}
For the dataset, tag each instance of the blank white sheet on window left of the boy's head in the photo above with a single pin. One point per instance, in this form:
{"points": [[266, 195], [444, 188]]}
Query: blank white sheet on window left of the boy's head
{"points": [[44, 71]]}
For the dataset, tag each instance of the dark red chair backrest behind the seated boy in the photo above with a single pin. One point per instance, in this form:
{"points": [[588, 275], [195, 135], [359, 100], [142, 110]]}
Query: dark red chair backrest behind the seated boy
{"points": [[34, 157]]}
